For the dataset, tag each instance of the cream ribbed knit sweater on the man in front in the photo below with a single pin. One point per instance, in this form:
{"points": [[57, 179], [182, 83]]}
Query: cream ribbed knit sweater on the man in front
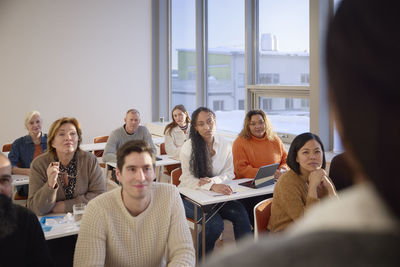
{"points": [[110, 236]]}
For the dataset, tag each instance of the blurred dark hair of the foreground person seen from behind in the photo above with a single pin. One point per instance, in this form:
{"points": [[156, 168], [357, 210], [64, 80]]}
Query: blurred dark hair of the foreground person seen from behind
{"points": [[363, 76]]}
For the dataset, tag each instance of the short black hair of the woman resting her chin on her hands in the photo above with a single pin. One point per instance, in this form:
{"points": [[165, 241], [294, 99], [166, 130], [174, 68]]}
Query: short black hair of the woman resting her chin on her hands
{"points": [[298, 142]]}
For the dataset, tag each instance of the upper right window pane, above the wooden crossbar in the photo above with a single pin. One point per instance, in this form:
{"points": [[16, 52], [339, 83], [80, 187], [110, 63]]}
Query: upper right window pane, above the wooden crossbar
{"points": [[284, 40]]}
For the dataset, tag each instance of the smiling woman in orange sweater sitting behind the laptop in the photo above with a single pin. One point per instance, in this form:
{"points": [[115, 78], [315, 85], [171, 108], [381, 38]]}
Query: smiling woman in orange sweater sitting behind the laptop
{"points": [[256, 146]]}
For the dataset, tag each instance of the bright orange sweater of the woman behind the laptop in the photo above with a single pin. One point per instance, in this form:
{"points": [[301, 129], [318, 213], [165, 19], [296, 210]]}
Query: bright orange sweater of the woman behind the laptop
{"points": [[250, 155]]}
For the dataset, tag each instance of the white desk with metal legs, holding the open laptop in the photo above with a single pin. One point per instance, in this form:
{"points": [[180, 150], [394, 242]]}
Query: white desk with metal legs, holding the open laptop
{"points": [[203, 199]]}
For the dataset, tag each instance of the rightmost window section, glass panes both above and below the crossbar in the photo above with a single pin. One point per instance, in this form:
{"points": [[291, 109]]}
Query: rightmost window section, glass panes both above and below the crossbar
{"points": [[283, 60]]}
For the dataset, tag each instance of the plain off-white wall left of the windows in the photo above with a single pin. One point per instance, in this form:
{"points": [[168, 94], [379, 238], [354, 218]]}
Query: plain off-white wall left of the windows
{"points": [[90, 59]]}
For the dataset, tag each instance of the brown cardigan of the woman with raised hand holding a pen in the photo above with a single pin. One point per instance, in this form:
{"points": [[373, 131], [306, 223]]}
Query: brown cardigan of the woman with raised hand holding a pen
{"points": [[89, 183]]}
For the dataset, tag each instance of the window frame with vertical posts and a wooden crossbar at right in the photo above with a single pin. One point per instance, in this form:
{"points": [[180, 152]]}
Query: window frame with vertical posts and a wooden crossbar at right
{"points": [[321, 121]]}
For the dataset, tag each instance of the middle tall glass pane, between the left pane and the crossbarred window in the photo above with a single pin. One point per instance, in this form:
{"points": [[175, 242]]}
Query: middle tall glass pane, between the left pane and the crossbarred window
{"points": [[225, 59]]}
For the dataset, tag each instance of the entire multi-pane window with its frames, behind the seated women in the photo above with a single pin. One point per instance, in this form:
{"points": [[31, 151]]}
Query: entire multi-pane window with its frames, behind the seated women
{"points": [[236, 55]]}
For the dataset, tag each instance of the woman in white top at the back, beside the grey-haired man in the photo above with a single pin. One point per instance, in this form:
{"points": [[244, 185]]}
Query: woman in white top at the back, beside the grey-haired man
{"points": [[177, 132]]}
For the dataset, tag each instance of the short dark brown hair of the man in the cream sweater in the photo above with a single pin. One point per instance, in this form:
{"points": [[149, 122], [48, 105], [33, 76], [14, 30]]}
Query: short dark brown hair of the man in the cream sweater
{"points": [[138, 146]]}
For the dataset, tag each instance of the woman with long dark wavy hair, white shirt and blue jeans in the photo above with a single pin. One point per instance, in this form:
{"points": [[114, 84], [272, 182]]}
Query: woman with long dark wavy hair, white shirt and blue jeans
{"points": [[207, 163]]}
